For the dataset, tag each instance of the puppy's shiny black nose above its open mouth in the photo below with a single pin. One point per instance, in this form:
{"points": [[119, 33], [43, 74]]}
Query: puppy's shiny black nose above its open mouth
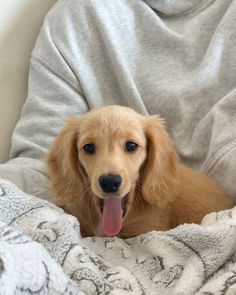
{"points": [[110, 183]]}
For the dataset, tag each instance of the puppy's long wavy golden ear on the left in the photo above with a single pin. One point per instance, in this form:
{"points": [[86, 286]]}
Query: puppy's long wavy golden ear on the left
{"points": [[63, 164]]}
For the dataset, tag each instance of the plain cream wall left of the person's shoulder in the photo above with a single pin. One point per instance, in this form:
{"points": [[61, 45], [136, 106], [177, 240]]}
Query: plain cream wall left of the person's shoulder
{"points": [[20, 23]]}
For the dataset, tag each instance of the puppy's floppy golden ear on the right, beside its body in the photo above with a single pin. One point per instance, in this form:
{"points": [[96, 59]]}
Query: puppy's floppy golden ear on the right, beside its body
{"points": [[160, 175]]}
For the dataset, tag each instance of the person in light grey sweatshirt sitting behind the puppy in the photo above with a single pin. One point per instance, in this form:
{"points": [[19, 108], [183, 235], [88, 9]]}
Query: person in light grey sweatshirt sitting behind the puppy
{"points": [[176, 59]]}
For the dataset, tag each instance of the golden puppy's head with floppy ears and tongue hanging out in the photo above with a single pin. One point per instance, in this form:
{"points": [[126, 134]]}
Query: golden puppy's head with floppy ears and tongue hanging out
{"points": [[110, 153]]}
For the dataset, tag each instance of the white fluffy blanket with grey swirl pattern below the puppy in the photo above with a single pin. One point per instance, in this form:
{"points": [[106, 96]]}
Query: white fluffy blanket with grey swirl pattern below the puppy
{"points": [[42, 252]]}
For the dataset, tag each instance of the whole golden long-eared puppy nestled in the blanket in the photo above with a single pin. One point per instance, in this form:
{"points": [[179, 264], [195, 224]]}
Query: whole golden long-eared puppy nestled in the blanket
{"points": [[118, 172]]}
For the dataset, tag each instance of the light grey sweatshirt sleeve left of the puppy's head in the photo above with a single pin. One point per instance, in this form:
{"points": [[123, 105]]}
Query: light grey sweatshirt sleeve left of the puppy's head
{"points": [[54, 94]]}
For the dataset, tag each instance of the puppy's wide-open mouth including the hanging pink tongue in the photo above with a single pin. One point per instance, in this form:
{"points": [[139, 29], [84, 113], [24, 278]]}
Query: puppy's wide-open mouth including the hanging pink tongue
{"points": [[113, 210]]}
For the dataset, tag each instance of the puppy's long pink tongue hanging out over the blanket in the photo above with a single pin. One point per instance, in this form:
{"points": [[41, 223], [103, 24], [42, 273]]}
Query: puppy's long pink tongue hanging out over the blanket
{"points": [[112, 216]]}
